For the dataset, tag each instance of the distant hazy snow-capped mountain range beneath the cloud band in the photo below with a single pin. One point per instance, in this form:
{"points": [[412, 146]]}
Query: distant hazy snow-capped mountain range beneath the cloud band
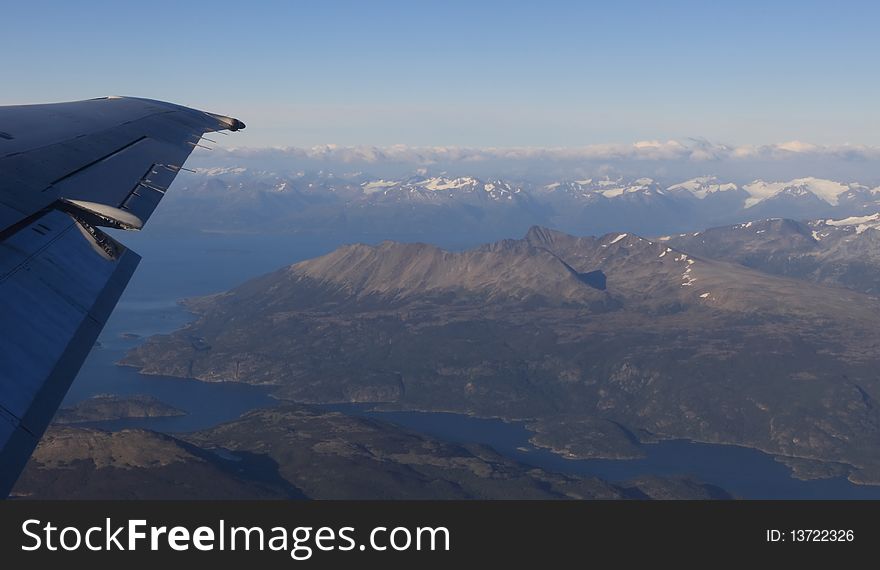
{"points": [[437, 207]]}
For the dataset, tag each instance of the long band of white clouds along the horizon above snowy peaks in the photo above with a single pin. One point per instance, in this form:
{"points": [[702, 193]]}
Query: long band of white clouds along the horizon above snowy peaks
{"points": [[674, 160]]}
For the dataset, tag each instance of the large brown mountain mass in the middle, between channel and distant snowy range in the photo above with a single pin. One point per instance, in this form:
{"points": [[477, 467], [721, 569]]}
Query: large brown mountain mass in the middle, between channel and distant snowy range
{"points": [[705, 336]]}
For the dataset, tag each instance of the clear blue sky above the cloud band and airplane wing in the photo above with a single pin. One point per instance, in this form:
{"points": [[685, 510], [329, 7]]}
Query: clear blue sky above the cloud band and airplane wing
{"points": [[472, 73]]}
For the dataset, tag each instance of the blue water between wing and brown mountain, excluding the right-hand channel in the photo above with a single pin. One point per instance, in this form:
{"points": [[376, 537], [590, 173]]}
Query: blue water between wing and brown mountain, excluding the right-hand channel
{"points": [[173, 268]]}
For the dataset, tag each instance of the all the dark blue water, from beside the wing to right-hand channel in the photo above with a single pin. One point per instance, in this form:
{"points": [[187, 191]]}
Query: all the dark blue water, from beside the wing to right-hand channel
{"points": [[176, 268]]}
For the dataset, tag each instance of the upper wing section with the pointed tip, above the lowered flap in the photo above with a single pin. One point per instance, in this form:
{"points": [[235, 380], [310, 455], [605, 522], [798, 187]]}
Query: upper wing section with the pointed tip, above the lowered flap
{"points": [[121, 152]]}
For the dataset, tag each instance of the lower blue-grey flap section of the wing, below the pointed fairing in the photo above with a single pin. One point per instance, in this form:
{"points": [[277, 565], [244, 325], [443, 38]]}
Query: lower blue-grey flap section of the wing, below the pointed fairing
{"points": [[59, 281]]}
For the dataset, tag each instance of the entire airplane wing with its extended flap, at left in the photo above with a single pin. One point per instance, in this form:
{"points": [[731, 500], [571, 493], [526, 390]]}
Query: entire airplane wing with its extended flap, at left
{"points": [[66, 170]]}
